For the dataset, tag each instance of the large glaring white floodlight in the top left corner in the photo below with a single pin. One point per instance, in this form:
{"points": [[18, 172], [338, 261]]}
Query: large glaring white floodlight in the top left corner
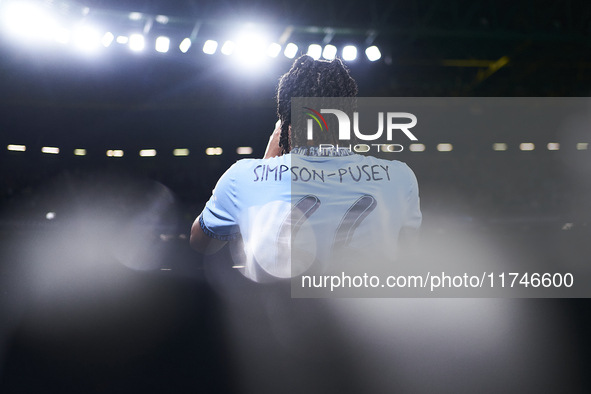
{"points": [[28, 20]]}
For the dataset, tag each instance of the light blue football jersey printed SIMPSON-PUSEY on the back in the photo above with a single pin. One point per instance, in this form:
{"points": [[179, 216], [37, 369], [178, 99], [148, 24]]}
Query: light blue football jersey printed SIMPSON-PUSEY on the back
{"points": [[298, 209]]}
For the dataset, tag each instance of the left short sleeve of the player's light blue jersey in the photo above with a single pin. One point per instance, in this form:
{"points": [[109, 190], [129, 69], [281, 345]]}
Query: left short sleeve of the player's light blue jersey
{"points": [[219, 218]]}
